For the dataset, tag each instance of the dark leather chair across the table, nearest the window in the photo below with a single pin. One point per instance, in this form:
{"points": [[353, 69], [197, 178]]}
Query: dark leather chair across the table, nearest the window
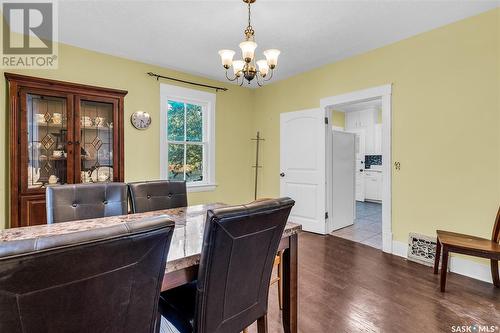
{"points": [[156, 195]]}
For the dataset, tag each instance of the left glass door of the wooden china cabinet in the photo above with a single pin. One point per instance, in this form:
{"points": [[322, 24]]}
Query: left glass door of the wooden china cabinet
{"points": [[45, 137]]}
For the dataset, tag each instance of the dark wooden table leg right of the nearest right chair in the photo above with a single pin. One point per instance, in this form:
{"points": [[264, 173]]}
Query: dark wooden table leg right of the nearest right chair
{"points": [[290, 286]]}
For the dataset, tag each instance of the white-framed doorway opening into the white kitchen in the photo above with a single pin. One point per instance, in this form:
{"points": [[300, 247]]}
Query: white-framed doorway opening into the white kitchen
{"points": [[366, 114]]}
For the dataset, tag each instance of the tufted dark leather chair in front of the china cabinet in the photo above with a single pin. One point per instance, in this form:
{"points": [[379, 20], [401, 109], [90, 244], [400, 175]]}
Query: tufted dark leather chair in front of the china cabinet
{"points": [[85, 201]]}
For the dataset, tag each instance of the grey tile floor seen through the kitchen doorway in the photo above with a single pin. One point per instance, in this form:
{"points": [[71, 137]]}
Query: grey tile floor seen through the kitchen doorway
{"points": [[367, 228]]}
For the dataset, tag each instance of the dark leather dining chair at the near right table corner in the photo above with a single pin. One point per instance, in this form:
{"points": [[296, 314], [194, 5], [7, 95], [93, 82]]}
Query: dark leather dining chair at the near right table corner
{"points": [[239, 248]]}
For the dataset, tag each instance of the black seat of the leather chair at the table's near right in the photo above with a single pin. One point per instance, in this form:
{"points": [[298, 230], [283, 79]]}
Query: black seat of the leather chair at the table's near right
{"points": [[177, 307]]}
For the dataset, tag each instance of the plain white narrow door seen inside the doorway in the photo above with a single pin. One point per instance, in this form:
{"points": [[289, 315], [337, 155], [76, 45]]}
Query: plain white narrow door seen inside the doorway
{"points": [[343, 175]]}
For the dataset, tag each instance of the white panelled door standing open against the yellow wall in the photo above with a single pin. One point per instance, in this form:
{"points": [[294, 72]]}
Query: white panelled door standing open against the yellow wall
{"points": [[302, 163]]}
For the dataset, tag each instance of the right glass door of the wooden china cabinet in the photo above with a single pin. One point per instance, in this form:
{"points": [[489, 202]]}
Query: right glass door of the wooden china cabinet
{"points": [[94, 123]]}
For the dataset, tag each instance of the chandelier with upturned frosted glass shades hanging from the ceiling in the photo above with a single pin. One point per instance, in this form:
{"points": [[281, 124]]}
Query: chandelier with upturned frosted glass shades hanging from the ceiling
{"points": [[249, 69]]}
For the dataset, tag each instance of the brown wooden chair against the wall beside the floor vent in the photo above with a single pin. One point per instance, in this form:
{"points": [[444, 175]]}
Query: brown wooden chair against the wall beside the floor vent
{"points": [[469, 245]]}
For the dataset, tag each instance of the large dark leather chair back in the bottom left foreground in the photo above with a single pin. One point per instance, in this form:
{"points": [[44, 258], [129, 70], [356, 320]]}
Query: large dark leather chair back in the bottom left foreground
{"points": [[99, 280]]}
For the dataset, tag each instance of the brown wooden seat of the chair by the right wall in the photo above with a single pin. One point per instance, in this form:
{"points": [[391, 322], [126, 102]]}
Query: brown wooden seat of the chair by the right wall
{"points": [[468, 242]]}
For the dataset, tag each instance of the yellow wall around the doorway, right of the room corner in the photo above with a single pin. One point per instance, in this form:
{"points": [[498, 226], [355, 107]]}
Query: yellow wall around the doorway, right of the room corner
{"points": [[446, 122]]}
